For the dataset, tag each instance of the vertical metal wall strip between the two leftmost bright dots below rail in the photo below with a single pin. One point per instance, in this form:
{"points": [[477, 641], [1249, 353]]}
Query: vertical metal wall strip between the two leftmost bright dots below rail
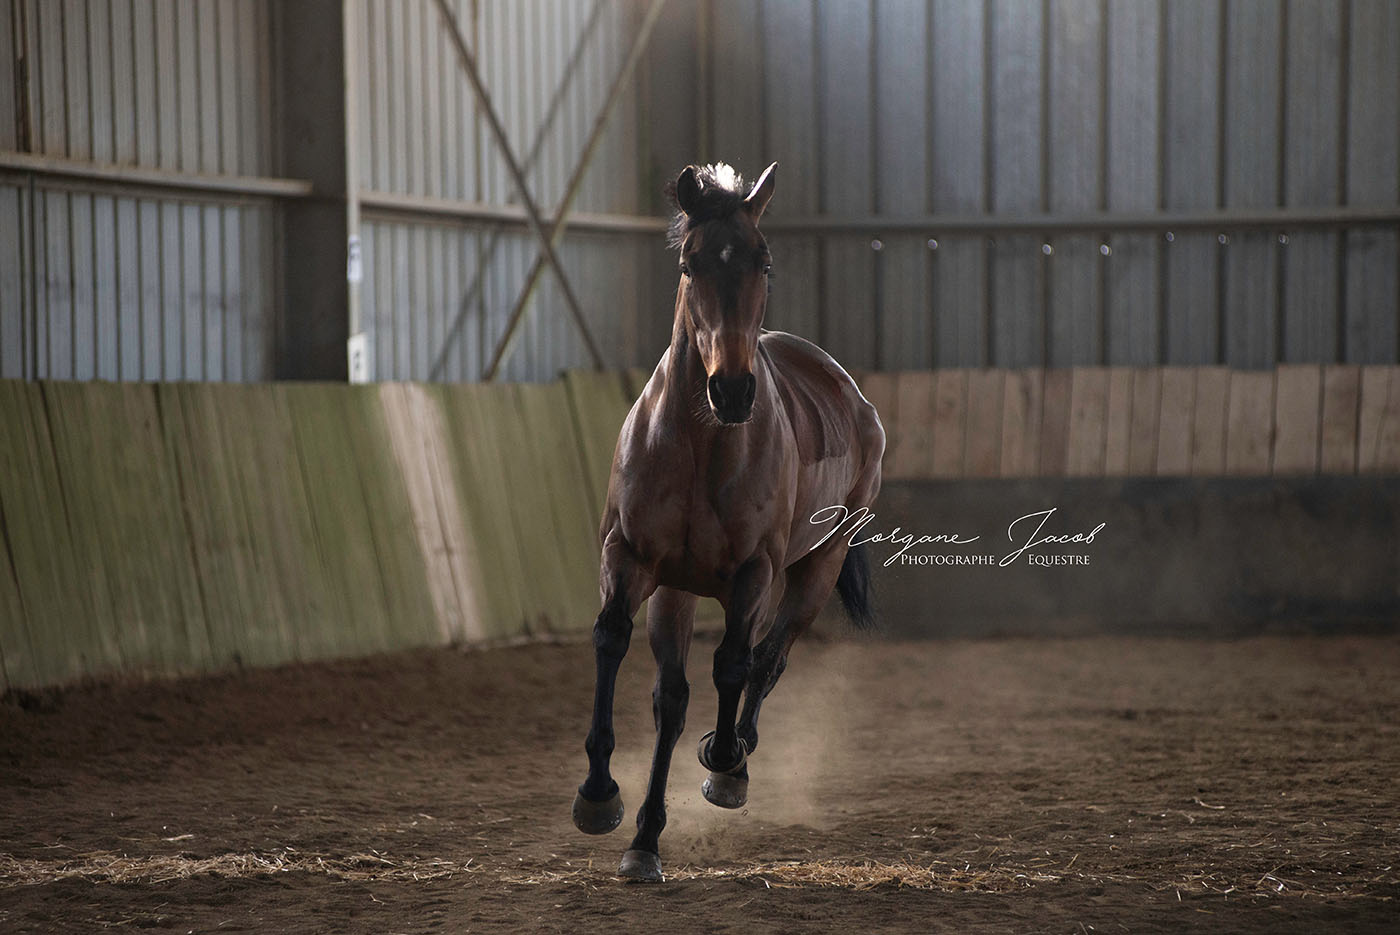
{"points": [[902, 181]]}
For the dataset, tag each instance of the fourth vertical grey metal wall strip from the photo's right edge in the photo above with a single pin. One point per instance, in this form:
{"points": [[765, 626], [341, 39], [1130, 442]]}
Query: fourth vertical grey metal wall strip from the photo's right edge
{"points": [[1192, 99]]}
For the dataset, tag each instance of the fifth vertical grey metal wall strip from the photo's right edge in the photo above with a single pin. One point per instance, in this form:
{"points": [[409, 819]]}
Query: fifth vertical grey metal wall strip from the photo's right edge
{"points": [[1132, 302]]}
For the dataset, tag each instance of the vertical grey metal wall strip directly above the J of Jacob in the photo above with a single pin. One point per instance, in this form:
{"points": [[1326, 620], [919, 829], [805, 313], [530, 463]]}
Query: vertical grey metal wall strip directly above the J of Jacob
{"points": [[1018, 316]]}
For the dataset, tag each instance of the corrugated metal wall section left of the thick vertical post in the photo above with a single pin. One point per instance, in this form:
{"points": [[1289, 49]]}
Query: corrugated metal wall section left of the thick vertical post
{"points": [[120, 281]]}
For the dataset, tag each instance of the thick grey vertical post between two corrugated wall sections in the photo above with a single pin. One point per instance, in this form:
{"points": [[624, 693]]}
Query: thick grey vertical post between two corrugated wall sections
{"points": [[313, 128]]}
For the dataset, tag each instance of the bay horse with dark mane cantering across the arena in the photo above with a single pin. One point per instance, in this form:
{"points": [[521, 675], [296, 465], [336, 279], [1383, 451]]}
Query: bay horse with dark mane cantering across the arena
{"points": [[738, 439]]}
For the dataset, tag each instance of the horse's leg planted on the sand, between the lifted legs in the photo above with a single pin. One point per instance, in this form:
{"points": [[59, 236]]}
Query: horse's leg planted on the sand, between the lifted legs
{"points": [[670, 624]]}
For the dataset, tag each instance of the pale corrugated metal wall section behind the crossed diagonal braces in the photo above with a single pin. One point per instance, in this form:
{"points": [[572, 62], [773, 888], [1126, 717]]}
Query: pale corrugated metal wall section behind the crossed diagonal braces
{"points": [[437, 292]]}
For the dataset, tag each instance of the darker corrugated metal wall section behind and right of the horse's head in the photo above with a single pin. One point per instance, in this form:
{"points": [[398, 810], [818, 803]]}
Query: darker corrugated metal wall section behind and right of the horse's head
{"points": [[1024, 108]]}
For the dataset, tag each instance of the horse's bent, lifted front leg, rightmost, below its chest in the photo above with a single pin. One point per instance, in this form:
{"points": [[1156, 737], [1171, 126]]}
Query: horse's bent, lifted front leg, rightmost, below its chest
{"points": [[723, 752]]}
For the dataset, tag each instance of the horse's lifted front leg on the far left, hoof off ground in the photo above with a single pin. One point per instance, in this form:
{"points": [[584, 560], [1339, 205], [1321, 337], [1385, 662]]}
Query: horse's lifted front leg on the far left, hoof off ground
{"points": [[598, 804]]}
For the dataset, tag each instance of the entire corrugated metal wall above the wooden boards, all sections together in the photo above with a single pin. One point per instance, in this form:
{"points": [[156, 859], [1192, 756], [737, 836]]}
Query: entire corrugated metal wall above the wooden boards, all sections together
{"points": [[983, 113]]}
